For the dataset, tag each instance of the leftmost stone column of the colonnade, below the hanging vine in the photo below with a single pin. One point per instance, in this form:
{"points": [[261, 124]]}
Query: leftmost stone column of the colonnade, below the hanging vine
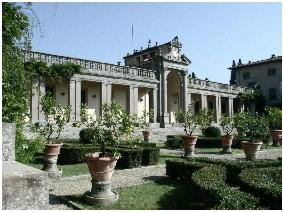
{"points": [[35, 100]]}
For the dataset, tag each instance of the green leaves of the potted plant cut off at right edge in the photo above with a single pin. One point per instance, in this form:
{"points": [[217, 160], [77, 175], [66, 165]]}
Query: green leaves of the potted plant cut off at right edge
{"points": [[274, 117]]}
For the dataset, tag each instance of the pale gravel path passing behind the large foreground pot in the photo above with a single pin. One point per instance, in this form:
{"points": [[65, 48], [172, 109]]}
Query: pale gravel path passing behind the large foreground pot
{"points": [[130, 177]]}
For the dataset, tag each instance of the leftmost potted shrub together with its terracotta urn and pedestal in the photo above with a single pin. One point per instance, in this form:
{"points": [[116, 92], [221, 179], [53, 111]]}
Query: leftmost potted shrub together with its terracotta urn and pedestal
{"points": [[56, 118]]}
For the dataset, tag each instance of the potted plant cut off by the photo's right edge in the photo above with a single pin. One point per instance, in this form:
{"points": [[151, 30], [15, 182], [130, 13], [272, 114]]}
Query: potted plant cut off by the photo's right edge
{"points": [[274, 118]]}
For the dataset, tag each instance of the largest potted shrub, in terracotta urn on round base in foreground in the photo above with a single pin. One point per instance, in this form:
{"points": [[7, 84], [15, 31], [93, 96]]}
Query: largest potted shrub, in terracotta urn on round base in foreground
{"points": [[112, 128]]}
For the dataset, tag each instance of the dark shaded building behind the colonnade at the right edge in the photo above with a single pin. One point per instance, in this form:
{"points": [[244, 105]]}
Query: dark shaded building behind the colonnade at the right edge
{"points": [[266, 73]]}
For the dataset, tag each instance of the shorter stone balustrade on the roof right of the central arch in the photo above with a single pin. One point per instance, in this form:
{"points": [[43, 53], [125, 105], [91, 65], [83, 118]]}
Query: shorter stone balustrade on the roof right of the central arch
{"points": [[215, 86]]}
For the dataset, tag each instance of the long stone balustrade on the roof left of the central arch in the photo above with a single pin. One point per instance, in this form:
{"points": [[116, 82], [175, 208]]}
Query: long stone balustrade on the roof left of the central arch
{"points": [[94, 67]]}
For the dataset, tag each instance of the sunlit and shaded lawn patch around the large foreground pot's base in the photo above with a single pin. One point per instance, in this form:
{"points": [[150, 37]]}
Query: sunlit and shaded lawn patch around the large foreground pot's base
{"points": [[164, 194]]}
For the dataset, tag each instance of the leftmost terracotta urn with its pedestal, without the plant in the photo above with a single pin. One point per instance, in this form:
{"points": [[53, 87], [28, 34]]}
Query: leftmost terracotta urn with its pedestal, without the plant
{"points": [[50, 157]]}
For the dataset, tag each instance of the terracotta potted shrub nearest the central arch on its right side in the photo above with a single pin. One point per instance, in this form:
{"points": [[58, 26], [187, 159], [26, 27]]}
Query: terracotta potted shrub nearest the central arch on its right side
{"points": [[189, 122]]}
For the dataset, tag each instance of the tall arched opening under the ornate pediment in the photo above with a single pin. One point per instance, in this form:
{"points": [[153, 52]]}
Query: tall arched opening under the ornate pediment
{"points": [[173, 94]]}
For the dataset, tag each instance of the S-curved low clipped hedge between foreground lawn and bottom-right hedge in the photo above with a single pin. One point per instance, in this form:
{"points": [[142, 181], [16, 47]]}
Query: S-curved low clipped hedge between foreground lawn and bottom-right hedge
{"points": [[211, 179]]}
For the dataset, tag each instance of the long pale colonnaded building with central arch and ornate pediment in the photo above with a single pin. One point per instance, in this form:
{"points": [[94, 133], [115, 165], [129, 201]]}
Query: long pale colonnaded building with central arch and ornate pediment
{"points": [[154, 78]]}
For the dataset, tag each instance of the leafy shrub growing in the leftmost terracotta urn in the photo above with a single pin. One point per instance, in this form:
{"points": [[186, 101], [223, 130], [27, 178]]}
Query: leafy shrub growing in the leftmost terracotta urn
{"points": [[57, 117]]}
